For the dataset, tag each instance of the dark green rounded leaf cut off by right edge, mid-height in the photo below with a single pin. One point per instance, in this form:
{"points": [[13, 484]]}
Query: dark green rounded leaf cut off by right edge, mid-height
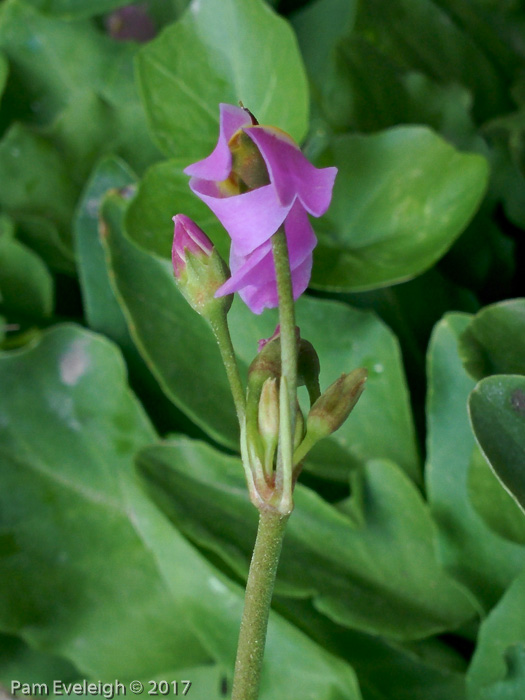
{"points": [[497, 412]]}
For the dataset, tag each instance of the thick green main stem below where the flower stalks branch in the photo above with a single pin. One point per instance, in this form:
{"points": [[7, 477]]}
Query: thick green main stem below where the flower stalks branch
{"points": [[259, 590]]}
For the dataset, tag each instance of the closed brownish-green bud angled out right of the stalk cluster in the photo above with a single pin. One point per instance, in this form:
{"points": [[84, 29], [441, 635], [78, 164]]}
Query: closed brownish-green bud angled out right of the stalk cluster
{"points": [[333, 407]]}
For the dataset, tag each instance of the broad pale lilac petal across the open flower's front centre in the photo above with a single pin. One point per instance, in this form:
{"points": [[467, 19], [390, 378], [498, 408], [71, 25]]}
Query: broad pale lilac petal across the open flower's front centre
{"points": [[250, 218]]}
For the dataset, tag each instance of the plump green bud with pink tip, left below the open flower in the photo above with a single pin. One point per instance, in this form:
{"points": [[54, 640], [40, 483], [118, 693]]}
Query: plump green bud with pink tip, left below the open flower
{"points": [[198, 268]]}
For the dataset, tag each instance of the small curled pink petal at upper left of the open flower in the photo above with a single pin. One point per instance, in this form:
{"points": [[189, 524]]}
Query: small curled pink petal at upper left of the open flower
{"points": [[218, 164]]}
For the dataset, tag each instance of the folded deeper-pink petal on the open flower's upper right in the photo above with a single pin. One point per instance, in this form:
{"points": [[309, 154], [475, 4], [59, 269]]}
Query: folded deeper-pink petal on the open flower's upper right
{"points": [[291, 173]]}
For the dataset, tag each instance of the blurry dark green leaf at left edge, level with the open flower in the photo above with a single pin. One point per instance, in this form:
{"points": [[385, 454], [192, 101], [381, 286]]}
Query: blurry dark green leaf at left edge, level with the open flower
{"points": [[35, 180]]}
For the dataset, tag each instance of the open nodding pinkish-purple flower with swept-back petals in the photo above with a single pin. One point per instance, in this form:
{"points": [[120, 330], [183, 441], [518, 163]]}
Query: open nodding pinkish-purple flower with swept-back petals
{"points": [[255, 180]]}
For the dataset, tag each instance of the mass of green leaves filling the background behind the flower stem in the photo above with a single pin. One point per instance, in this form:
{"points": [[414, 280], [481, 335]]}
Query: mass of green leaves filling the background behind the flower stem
{"points": [[125, 529]]}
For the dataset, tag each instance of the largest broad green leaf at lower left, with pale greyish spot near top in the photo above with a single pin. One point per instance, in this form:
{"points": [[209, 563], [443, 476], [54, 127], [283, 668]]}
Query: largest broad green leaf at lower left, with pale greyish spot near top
{"points": [[75, 520]]}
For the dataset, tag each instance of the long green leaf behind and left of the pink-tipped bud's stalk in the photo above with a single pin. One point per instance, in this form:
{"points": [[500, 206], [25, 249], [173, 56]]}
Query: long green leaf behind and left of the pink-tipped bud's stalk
{"points": [[175, 342]]}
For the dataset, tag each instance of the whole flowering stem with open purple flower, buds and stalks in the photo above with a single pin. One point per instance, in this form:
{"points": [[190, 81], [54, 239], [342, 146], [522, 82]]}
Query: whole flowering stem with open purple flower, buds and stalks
{"points": [[260, 186]]}
